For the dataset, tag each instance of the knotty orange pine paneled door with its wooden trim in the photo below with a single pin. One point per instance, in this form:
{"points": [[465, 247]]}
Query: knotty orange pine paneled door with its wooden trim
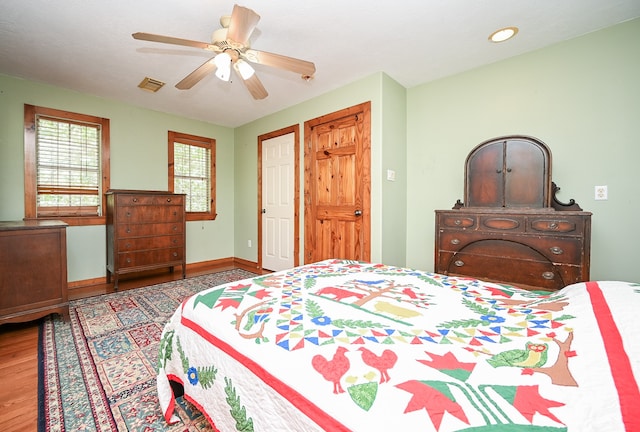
{"points": [[337, 195]]}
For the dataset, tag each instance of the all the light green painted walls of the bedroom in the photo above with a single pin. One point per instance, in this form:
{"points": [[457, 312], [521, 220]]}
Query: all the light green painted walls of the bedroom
{"points": [[581, 97]]}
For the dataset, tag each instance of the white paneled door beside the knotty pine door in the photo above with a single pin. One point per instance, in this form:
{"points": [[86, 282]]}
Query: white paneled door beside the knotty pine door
{"points": [[278, 202]]}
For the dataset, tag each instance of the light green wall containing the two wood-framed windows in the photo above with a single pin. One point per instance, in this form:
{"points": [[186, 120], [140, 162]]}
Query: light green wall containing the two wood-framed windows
{"points": [[138, 161]]}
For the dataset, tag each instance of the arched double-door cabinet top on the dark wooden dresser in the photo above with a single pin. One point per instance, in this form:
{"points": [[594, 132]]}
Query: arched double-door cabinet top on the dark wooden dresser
{"points": [[511, 171]]}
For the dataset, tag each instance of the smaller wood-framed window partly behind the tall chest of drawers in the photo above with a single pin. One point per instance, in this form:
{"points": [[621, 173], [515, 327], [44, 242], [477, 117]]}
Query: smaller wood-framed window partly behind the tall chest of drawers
{"points": [[192, 171]]}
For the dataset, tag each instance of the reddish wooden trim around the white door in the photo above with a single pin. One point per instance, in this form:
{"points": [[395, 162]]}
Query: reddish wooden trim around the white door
{"points": [[295, 129]]}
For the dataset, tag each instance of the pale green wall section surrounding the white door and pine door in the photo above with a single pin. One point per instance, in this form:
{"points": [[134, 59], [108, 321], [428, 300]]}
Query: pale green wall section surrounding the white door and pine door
{"points": [[385, 96]]}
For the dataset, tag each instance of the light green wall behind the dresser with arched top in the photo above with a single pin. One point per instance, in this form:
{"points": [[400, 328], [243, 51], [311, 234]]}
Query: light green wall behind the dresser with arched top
{"points": [[581, 97]]}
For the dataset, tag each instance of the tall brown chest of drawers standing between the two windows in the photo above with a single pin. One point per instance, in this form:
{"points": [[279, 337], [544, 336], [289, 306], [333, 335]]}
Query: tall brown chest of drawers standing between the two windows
{"points": [[145, 231]]}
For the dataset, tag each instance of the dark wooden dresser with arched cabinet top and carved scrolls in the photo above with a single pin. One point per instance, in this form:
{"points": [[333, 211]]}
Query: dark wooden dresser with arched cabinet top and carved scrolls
{"points": [[510, 227]]}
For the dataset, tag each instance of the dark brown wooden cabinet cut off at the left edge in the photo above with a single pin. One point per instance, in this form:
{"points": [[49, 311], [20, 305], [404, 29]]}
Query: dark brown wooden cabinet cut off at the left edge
{"points": [[33, 270]]}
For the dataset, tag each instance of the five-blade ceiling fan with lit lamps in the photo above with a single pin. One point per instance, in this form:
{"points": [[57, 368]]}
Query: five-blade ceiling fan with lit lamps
{"points": [[232, 48]]}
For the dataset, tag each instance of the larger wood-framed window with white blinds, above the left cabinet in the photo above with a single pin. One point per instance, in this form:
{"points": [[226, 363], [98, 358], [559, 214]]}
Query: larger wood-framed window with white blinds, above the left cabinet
{"points": [[66, 165]]}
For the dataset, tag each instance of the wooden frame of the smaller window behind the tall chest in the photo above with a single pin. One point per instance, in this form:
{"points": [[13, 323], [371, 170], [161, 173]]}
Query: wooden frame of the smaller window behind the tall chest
{"points": [[208, 143]]}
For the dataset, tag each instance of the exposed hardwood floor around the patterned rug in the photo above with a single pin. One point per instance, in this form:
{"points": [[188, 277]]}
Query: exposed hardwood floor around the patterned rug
{"points": [[19, 356]]}
